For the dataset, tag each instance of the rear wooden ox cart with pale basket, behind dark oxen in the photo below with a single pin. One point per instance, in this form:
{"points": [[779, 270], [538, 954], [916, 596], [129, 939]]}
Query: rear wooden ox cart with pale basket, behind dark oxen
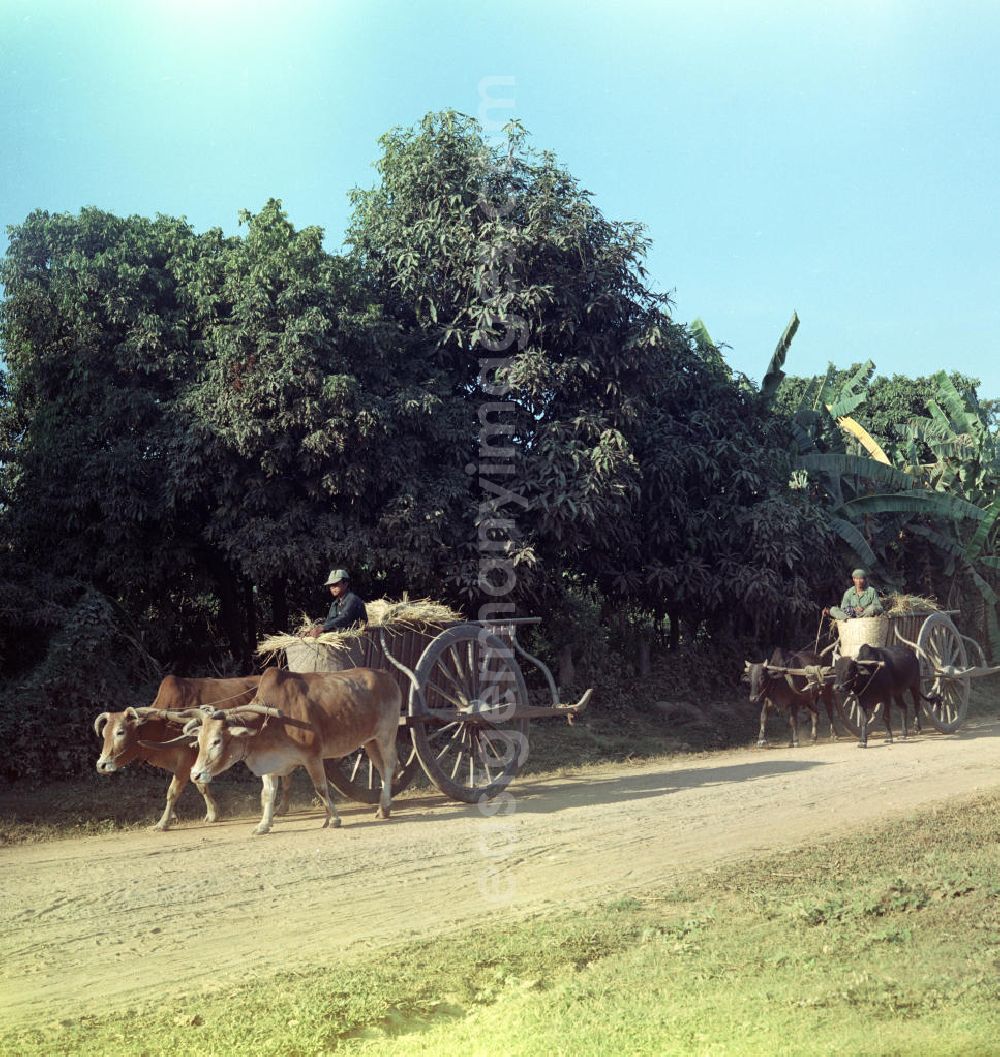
{"points": [[943, 653]]}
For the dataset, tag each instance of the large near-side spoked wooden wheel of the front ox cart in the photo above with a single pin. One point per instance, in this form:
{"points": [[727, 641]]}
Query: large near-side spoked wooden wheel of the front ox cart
{"points": [[470, 761]]}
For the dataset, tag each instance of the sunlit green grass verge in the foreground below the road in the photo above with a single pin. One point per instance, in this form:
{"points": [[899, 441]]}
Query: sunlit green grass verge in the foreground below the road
{"points": [[881, 944]]}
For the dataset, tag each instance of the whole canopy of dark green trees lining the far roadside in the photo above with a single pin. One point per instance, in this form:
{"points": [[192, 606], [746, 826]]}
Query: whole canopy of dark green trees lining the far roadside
{"points": [[195, 426]]}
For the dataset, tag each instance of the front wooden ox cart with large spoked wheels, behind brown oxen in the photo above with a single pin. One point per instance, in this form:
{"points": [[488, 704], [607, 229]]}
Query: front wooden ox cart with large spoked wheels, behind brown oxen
{"points": [[466, 706]]}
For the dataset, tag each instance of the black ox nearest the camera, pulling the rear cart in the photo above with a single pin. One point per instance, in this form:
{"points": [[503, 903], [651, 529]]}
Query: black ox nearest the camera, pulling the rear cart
{"points": [[881, 675]]}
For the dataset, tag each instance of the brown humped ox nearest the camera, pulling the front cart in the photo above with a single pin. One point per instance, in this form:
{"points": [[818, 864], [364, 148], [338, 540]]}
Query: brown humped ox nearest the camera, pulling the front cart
{"points": [[301, 719]]}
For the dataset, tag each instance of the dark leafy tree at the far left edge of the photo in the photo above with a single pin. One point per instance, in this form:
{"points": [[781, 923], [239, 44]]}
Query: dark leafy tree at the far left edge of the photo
{"points": [[98, 341]]}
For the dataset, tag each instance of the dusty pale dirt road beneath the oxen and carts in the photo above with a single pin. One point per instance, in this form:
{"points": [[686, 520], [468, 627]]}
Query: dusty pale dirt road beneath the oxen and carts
{"points": [[119, 921]]}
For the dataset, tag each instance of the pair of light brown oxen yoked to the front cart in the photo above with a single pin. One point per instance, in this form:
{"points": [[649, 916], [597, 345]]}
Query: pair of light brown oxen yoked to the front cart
{"points": [[198, 729]]}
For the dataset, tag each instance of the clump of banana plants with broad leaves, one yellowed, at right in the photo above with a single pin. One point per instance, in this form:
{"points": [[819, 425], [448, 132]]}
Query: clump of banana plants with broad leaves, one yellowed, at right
{"points": [[876, 498]]}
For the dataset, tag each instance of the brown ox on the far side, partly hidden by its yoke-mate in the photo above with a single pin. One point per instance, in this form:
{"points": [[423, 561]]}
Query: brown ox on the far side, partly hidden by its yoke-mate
{"points": [[122, 732]]}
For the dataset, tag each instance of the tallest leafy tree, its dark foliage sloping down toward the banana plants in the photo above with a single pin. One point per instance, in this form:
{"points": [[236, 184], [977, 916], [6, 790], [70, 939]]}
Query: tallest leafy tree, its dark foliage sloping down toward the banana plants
{"points": [[641, 465]]}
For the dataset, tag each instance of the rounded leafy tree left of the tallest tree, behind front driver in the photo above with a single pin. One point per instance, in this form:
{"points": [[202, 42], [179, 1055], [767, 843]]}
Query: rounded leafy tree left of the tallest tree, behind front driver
{"points": [[323, 434]]}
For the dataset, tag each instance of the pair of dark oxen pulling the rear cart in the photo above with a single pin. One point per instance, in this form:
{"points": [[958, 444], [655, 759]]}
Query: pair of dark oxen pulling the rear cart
{"points": [[795, 680]]}
